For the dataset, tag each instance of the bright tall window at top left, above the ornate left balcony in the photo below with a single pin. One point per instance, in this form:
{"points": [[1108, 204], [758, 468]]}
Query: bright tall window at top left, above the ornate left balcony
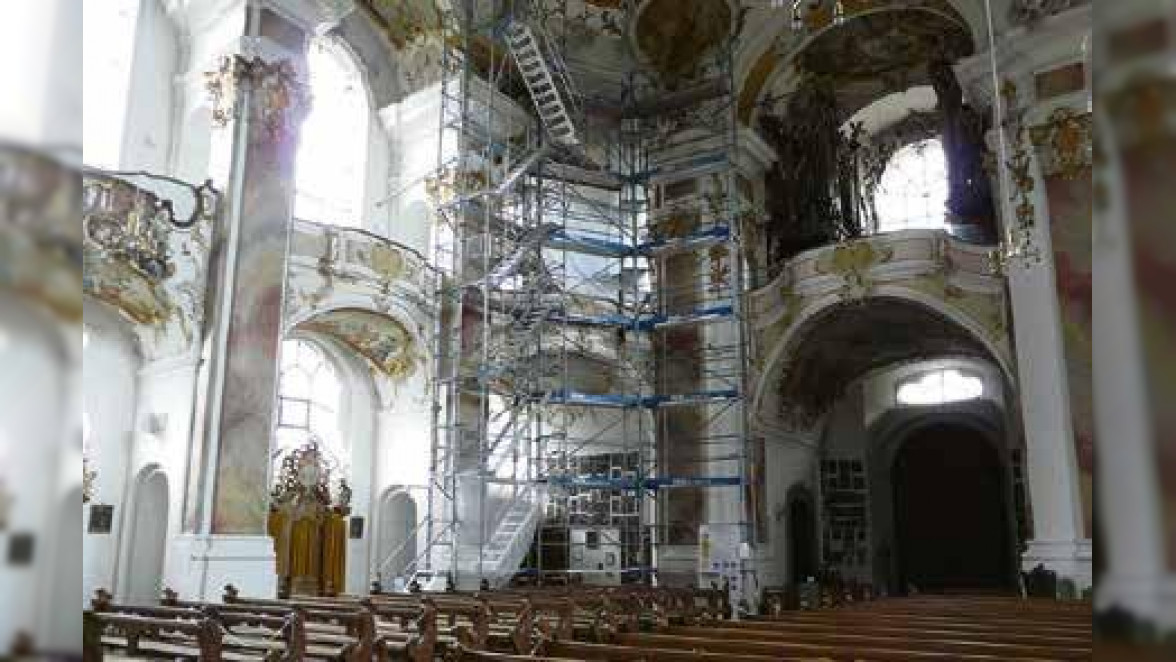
{"points": [[109, 45]]}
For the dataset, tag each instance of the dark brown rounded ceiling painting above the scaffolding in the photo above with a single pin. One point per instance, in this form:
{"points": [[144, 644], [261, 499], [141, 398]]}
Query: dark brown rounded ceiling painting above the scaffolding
{"points": [[676, 36]]}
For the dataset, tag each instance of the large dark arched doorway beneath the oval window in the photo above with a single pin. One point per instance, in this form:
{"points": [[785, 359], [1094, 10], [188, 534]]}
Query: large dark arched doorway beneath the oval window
{"points": [[951, 512]]}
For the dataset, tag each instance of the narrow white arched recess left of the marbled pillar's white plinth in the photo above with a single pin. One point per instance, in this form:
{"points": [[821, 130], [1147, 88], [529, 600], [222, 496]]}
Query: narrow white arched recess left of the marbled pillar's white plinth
{"points": [[149, 539]]}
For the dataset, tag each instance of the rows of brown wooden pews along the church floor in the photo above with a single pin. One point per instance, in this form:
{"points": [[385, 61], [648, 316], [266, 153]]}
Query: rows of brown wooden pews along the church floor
{"points": [[589, 624]]}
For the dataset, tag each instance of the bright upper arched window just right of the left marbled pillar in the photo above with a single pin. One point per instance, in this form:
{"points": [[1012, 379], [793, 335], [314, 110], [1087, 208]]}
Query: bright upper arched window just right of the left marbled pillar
{"points": [[332, 157]]}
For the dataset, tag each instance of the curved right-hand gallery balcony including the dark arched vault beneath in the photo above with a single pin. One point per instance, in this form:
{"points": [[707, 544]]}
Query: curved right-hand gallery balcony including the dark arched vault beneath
{"points": [[839, 312]]}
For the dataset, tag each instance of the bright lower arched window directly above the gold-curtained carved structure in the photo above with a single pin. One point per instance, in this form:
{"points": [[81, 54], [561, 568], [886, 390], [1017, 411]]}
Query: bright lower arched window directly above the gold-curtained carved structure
{"points": [[309, 400]]}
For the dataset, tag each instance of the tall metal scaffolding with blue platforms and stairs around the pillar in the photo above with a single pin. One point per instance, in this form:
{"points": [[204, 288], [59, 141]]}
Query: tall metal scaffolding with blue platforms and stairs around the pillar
{"points": [[591, 364]]}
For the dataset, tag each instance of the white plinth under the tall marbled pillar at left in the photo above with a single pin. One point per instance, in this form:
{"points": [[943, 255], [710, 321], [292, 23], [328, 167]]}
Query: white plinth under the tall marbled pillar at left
{"points": [[205, 564]]}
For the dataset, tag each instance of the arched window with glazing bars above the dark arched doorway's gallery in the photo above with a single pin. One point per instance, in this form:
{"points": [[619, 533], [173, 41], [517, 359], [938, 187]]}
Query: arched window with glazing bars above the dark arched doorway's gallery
{"points": [[913, 191]]}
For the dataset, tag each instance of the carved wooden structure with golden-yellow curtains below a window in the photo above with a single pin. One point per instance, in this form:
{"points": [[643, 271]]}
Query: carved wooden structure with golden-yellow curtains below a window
{"points": [[309, 525]]}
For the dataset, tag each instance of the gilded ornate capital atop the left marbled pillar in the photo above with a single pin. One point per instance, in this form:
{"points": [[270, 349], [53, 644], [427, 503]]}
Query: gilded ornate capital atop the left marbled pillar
{"points": [[283, 98]]}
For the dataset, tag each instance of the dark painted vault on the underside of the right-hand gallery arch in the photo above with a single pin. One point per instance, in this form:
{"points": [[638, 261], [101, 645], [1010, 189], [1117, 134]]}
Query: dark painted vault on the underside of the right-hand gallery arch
{"points": [[846, 343]]}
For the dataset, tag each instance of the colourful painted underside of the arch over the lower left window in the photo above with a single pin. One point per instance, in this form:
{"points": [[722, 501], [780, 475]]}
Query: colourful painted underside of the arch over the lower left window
{"points": [[382, 340]]}
